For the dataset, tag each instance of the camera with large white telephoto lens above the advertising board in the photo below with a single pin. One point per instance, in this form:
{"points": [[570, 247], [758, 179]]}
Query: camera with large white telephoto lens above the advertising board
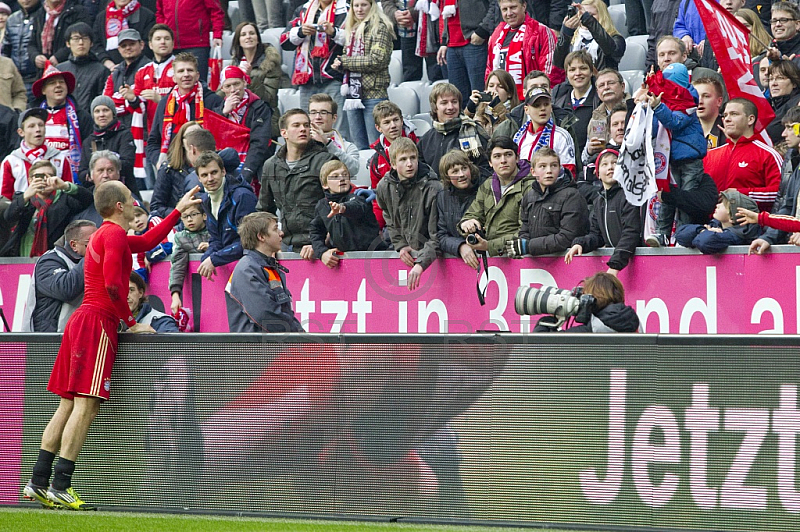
{"points": [[555, 301]]}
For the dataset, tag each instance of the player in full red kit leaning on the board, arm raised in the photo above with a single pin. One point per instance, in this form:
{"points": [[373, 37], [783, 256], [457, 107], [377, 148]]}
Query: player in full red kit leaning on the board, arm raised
{"points": [[82, 371]]}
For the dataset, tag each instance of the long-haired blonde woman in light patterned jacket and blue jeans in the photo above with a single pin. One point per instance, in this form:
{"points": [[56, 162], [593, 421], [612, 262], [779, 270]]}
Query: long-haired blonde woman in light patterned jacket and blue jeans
{"points": [[368, 49]]}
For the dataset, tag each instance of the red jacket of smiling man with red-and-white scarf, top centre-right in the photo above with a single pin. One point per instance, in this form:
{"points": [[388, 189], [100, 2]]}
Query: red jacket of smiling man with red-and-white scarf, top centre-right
{"points": [[537, 50]]}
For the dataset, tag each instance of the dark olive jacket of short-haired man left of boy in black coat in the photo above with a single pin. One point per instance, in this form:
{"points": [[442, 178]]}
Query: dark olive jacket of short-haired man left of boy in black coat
{"points": [[295, 191]]}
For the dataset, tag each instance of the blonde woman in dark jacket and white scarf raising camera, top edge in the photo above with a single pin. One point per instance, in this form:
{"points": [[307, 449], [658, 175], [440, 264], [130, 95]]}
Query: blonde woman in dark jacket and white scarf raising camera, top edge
{"points": [[591, 29]]}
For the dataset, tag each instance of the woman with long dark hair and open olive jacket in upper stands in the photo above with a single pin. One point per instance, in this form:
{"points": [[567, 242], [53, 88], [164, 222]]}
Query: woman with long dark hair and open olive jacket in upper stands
{"points": [[260, 61]]}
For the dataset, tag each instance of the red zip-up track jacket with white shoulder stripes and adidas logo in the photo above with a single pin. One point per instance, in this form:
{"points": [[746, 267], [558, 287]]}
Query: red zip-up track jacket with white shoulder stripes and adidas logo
{"points": [[749, 166]]}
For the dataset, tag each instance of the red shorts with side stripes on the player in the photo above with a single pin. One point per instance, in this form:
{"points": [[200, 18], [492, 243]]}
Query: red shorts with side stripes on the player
{"points": [[86, 356]]}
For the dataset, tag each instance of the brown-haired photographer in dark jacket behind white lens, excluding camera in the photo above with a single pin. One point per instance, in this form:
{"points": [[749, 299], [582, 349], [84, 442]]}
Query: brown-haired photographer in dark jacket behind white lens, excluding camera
{"points": [[609, 313]]}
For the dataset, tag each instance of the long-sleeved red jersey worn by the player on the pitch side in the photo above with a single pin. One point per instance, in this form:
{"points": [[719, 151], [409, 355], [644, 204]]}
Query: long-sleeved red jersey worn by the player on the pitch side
{"points": [[108, 262]]}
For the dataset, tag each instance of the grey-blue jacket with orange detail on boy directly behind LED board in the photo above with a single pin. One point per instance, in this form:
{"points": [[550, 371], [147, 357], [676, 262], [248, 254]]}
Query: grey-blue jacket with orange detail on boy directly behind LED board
{"points": [[256, 297]]}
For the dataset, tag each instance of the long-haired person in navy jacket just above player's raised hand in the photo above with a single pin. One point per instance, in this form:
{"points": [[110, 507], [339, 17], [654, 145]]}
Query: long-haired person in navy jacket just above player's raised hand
{"points": [[170, 178]]}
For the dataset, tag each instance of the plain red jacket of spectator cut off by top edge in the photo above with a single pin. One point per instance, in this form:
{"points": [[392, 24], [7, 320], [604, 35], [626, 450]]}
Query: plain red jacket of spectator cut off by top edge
{"points": [[191, 20]]}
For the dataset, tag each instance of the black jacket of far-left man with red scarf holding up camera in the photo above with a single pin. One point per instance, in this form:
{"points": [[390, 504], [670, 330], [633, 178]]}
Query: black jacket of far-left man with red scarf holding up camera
{"points": [[58, 216]]}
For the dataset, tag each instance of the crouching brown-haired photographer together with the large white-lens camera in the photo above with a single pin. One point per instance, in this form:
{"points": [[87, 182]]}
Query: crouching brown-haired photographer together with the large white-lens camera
{"points": [[601, 308]]}
